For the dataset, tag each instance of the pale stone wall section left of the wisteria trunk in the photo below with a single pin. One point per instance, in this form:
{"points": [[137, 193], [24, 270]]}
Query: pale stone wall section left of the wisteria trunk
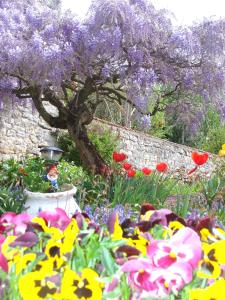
{"points": [[22, 131]]}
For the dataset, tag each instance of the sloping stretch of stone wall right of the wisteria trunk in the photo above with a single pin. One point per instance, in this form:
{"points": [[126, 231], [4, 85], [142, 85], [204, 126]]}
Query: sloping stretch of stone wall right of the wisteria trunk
{"points": [[144, 150]]}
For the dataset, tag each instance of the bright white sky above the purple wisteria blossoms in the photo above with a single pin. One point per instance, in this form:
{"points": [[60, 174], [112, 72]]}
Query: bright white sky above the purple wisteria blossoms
{"points": [[185, 11]]}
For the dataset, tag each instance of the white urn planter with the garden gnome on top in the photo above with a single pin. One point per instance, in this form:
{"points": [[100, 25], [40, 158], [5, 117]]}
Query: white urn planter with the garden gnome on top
{"points": [[37, 202]]}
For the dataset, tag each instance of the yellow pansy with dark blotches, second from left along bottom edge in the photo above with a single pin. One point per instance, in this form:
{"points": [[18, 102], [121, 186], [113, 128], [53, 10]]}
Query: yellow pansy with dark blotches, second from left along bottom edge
{"points": [[85, 285]]}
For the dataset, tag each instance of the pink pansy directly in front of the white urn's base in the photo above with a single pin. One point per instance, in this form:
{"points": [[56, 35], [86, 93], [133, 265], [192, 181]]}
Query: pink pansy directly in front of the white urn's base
{"points": [[56, 218]]}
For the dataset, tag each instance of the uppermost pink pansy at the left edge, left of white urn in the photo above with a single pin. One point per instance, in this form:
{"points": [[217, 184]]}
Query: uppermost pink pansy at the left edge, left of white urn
{"points": [[18, 223]]}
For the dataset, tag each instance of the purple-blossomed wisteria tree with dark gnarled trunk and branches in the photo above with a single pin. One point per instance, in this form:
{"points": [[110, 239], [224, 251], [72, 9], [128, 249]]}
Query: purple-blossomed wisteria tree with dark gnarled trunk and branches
{"points": [[121, 52]]}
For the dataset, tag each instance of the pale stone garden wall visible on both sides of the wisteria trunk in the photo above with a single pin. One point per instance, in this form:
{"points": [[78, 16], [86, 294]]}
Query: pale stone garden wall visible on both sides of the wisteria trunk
{"points": [[22, 132]]}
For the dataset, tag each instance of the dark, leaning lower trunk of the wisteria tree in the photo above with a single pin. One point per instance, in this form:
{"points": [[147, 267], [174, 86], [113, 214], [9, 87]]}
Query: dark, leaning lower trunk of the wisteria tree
{"points": [[88, 153]]}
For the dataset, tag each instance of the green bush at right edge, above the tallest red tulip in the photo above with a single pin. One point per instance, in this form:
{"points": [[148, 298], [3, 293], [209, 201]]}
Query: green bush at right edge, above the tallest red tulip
{"points": [[212, 132]]}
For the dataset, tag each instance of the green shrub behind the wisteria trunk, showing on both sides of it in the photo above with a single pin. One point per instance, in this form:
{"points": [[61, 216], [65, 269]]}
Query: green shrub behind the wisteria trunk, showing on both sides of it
{"points": [[103, 139]]}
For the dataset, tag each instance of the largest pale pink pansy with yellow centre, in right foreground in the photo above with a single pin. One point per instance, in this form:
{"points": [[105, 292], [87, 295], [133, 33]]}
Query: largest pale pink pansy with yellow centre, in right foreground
{"points": [[184, 246]]}
